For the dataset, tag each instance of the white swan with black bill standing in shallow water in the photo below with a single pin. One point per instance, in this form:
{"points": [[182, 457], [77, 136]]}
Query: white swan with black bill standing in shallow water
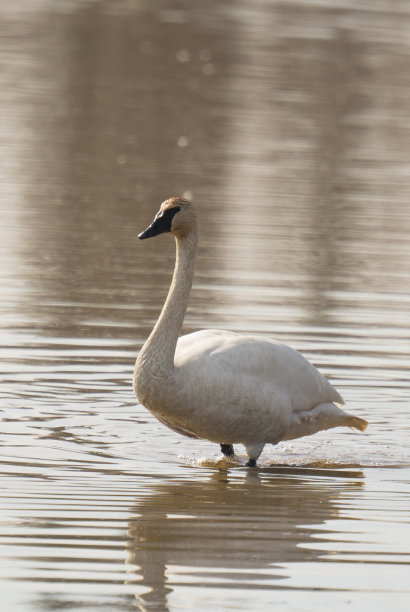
{"points": [[222, 386]]}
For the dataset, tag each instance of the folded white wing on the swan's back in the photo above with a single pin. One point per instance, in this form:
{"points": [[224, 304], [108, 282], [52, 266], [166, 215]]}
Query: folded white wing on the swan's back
{"points": [[228, 355]]}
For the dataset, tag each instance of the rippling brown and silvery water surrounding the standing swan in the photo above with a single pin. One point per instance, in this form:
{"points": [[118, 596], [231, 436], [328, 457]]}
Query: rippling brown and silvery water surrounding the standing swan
{"points": [[288, 124]]}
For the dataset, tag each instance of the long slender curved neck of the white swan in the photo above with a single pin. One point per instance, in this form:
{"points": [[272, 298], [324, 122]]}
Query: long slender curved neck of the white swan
{"points": [[159, 349]]}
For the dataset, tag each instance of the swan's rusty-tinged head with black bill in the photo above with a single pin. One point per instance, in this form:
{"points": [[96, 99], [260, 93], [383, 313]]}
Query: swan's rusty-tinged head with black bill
{"points": [[175, 216]]}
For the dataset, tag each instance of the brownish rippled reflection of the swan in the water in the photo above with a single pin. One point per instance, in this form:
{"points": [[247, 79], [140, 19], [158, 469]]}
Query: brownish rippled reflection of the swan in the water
{"points": [[229, 531]]}
